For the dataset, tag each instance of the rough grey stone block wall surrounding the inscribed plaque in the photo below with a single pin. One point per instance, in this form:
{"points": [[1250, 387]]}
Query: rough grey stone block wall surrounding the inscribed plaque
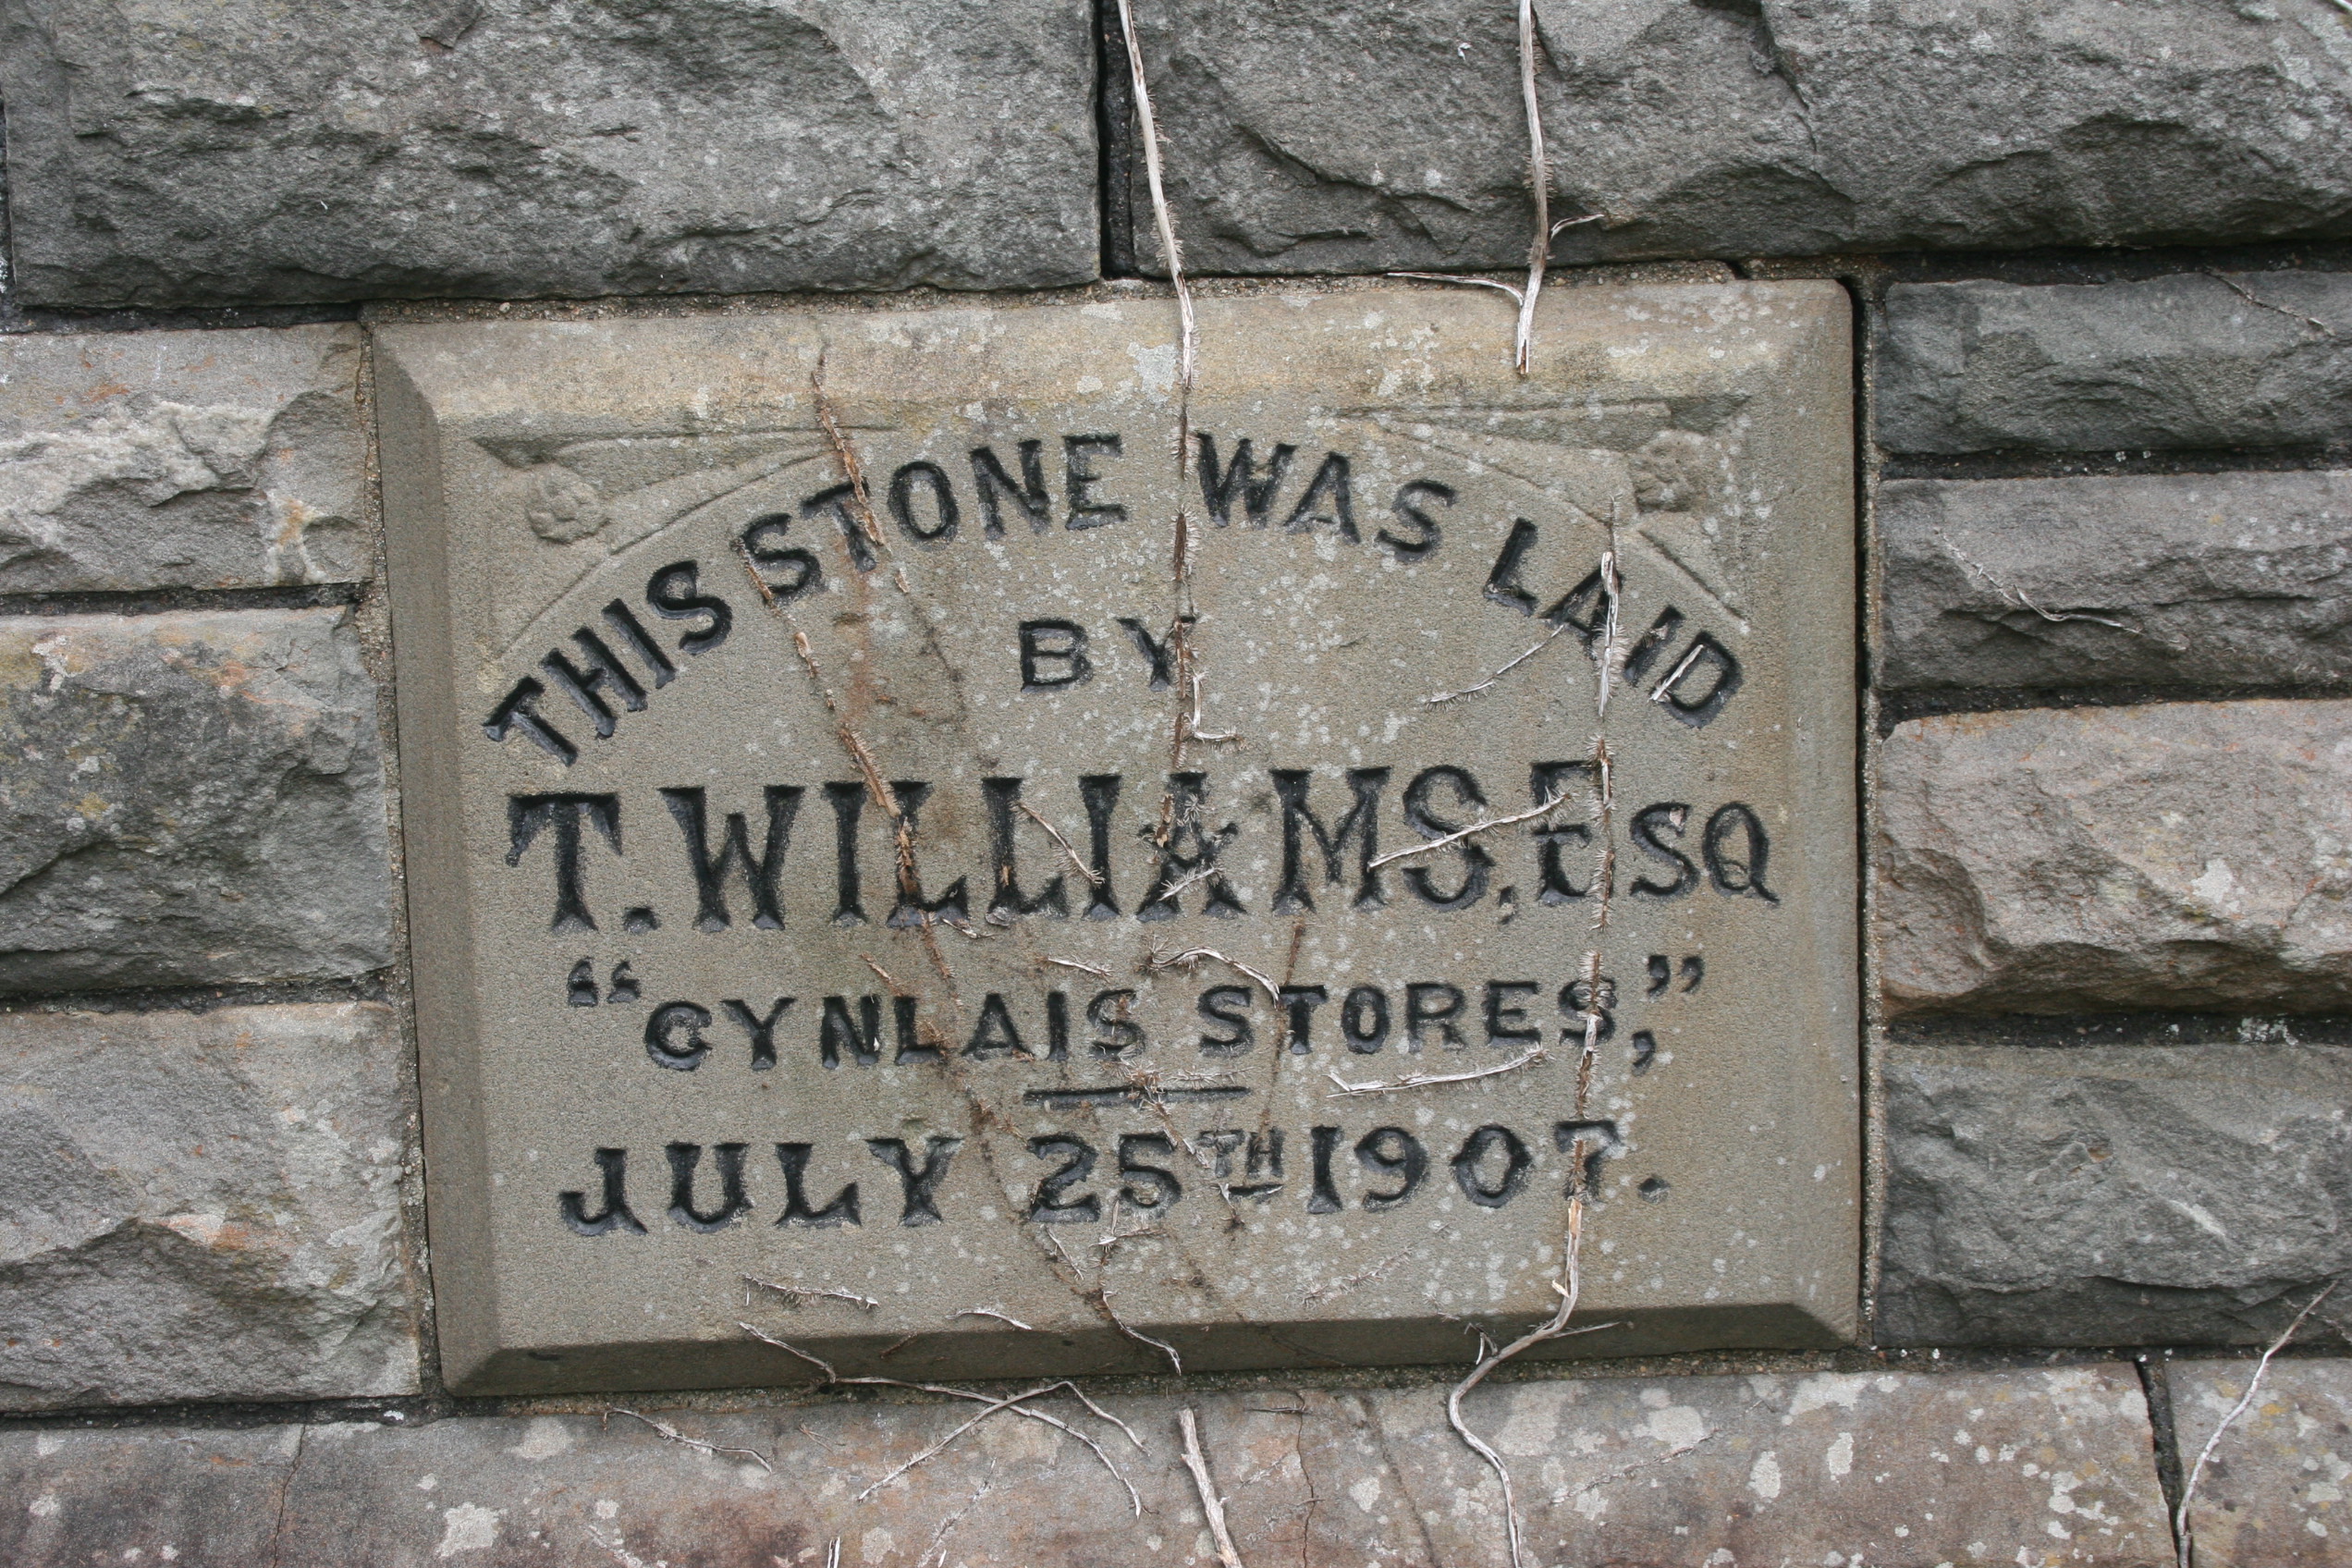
{"points": [[2102, 255]]}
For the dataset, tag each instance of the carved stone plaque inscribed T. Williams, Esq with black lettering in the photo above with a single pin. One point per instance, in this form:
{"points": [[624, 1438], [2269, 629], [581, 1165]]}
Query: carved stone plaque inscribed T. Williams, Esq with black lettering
{"points": [[888, 826]]}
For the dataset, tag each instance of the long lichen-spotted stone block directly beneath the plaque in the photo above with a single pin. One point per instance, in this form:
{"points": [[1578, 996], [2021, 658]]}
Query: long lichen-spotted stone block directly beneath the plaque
{"points": [[2047, 1468]]}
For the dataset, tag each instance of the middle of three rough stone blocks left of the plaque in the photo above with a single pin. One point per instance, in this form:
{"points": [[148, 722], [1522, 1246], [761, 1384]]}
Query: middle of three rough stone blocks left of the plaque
{"points": [[189, 800]]}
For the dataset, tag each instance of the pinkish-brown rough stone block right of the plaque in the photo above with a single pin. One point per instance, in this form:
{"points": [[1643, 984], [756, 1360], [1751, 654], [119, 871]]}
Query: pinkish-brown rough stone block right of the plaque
{"points": [[2177, 855]]}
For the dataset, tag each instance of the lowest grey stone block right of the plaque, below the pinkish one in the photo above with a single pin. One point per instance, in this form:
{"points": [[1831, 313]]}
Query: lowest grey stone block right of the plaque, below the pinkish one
{"points": [[2111, 1195]]}
